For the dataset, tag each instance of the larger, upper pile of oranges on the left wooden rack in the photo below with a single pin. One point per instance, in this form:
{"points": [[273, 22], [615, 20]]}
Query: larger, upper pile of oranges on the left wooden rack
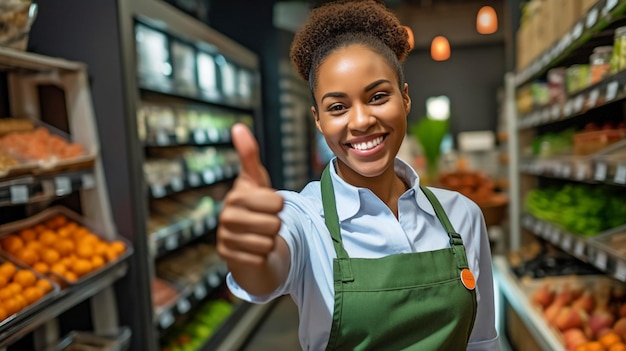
{"points": [[62, 247]]}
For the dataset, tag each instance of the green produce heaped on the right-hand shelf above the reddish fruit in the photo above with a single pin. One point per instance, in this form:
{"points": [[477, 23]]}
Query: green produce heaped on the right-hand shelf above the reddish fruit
{"points": [[580, 209]]}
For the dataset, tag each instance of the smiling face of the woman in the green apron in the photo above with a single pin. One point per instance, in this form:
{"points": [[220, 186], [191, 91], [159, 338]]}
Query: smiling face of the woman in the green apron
{"points": [[362, 112]]}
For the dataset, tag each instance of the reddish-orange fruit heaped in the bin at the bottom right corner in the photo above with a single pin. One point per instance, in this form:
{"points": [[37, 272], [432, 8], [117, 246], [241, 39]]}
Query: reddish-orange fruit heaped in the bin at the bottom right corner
{"points": [[587, 313]]}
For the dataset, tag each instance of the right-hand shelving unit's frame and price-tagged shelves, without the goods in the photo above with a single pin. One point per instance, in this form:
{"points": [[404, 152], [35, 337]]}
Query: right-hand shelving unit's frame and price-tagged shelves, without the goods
{"points": [[601, 101]]}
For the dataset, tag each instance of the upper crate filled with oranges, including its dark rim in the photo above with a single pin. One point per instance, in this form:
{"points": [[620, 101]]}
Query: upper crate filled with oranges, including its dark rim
{"points": [[62, 245]]}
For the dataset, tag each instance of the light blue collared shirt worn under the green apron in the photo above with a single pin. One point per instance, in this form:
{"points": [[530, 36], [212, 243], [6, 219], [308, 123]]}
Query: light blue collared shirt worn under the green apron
{"points": [[370, 230]]}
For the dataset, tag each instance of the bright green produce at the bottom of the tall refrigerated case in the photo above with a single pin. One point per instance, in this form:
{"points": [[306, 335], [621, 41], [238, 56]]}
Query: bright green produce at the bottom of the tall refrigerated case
{"points": [[194, 333]]}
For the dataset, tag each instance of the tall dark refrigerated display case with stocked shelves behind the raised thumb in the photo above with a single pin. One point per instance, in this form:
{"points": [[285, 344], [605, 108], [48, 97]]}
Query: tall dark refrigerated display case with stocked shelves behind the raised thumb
{"points": [[166, 89]]}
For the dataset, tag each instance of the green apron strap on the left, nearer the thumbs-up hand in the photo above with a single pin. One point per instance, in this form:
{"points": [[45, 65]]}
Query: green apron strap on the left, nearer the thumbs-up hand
{"points": [[332, 223]]}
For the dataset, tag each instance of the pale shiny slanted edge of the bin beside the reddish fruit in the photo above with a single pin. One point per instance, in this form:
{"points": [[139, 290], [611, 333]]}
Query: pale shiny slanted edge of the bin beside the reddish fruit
{"points": [[513, 292]]}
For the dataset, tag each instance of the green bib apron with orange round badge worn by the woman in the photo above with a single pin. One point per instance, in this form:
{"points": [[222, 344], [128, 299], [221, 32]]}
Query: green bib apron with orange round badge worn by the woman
{"points": [[412, 301]]}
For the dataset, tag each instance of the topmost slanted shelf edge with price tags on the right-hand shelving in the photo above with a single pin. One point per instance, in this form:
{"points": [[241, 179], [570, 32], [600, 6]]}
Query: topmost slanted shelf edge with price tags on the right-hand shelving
{"points": [[596, 19]]}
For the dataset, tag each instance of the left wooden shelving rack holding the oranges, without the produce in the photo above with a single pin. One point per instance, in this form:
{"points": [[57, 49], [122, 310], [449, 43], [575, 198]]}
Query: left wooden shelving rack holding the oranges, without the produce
{"points": [[37, 189]]}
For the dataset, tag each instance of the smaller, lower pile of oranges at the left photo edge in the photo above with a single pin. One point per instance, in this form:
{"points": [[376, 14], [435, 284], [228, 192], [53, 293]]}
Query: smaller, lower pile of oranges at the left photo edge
{"points": [[19, 288]]}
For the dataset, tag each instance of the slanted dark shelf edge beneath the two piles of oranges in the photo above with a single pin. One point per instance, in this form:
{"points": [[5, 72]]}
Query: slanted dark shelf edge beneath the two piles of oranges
{"points": [[66, 299]]}
